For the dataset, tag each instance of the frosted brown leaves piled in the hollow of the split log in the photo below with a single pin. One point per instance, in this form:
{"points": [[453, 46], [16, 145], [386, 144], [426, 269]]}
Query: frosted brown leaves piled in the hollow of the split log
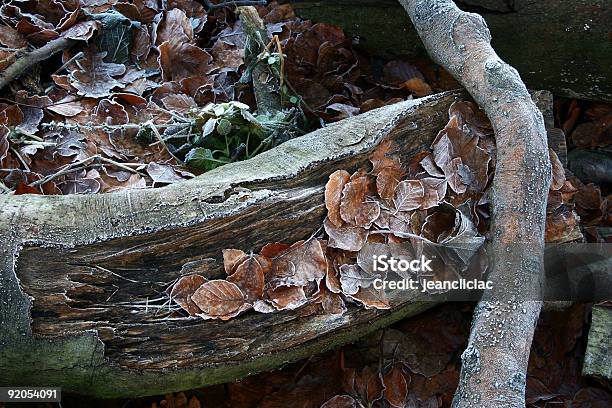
{"points": [[439, 197]]}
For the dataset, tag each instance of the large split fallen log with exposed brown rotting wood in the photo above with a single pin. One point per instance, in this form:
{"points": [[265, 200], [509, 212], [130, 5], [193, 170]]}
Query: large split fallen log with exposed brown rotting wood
{"points": [[79, 274]]}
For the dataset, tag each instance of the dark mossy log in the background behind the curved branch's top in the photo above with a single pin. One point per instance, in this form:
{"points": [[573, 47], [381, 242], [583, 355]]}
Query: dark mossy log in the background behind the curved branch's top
{"points": [[564, 46]]}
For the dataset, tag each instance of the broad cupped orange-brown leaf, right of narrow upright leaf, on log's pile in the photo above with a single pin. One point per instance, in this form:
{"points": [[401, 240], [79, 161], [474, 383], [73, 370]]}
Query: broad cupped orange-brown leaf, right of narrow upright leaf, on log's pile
{"points": [[357, 206]]}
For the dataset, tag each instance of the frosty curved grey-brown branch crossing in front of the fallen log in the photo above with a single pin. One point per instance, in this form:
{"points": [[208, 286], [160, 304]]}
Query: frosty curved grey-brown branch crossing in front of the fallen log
{"points": [[494, 364]]}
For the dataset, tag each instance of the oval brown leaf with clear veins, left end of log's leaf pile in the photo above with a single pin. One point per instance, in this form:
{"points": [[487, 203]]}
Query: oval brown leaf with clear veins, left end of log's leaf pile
{"points": [[219, 299]]}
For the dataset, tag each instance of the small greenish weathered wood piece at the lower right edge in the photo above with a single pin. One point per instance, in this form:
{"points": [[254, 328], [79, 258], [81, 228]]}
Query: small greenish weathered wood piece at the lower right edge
{"points": [[598, 355]]}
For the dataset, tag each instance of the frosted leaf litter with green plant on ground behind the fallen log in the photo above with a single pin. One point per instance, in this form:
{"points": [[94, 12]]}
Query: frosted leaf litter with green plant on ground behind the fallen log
{"points": [[152, 93]]}
